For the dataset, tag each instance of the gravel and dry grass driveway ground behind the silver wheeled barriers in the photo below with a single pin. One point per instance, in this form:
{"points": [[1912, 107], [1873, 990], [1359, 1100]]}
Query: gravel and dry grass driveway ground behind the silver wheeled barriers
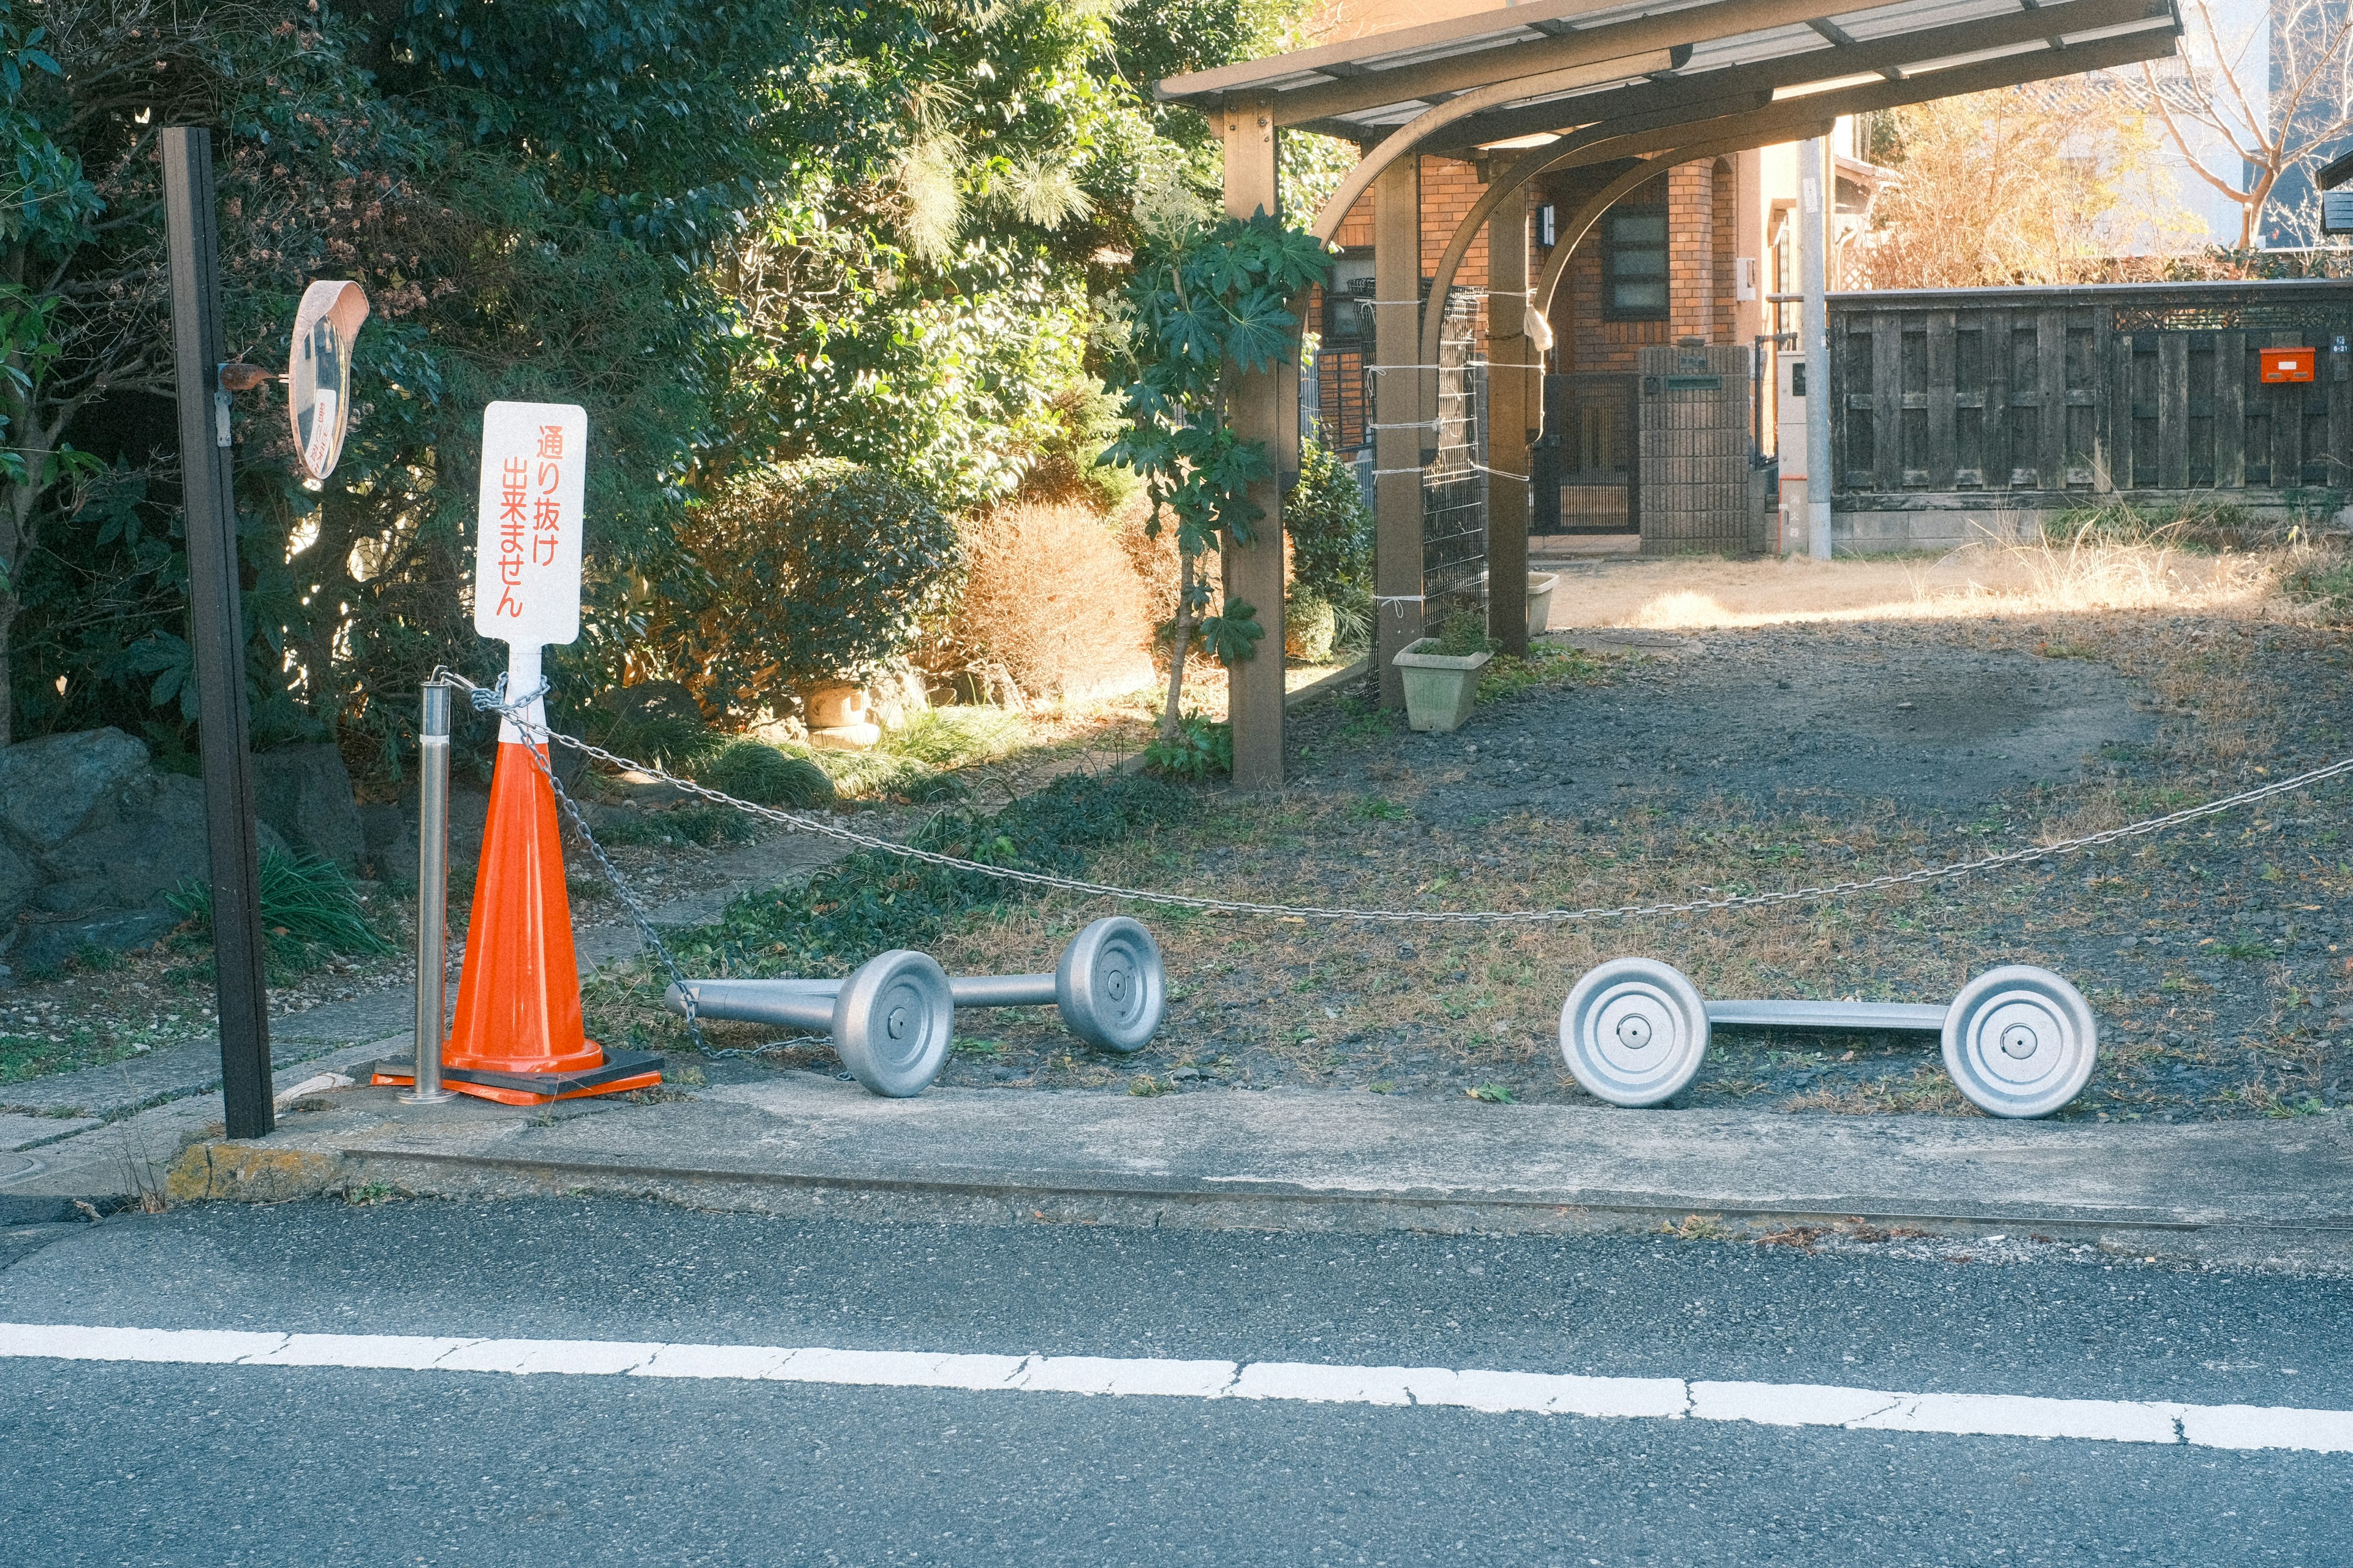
{"points": [[1733, 762]]}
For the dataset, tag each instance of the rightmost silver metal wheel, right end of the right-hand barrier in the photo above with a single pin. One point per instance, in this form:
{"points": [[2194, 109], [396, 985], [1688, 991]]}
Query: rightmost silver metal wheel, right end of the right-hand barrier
{"points": [[2020, 1042]]}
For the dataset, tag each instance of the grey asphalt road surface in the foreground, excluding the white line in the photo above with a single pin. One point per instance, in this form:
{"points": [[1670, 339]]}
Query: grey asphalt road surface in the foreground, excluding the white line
{"points": [[159, 1463]]}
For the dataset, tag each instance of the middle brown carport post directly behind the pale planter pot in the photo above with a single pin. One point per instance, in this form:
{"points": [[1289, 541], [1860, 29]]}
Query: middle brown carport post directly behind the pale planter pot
{"points": [[1397, 404]]}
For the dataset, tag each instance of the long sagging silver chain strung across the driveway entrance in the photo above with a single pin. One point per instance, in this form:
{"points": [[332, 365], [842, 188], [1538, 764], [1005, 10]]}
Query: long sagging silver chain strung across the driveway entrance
{"points": [[1432, 917]]}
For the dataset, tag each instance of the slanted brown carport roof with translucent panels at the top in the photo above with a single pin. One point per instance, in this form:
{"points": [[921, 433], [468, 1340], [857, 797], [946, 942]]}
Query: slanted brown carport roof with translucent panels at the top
{"points": [[1559, 65]]}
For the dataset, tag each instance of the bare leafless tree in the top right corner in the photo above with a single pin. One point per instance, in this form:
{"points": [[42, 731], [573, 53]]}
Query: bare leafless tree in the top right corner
{"points": [[2265, 131]]}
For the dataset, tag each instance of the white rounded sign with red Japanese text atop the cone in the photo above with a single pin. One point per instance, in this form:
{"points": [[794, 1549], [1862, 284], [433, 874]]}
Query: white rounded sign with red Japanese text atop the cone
{"points": [[528, 550]]}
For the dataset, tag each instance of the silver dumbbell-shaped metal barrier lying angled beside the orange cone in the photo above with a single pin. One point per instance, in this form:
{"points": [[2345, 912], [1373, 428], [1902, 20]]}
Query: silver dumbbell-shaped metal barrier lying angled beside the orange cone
{"points": [[1109, 990]]}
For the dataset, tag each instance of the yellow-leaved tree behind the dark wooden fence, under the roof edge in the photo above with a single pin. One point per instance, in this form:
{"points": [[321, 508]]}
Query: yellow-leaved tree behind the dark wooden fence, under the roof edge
{"points": [[2025, 185]]}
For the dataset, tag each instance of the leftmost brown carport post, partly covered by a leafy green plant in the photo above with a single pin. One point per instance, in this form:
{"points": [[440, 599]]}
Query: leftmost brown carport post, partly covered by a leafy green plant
{"points": [[1255, 413]]}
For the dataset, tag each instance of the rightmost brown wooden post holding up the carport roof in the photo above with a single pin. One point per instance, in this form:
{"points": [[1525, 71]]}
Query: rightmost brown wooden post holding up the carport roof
{"points": [[1514, 406]]}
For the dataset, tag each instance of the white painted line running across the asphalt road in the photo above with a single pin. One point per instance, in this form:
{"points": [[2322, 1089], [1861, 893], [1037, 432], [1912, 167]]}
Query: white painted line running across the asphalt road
{"points": [[1773, 1404]]}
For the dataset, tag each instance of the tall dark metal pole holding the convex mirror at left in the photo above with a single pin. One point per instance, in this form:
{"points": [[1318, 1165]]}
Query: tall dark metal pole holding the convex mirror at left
{"points": [[218, 630]]}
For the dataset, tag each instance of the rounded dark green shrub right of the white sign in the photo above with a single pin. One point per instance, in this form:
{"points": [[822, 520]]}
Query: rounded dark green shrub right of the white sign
{"points": [[815, 571]]}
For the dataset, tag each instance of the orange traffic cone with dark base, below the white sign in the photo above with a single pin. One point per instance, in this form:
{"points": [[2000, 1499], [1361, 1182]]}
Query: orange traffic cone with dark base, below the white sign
{"points": [[519, 1032]]}
